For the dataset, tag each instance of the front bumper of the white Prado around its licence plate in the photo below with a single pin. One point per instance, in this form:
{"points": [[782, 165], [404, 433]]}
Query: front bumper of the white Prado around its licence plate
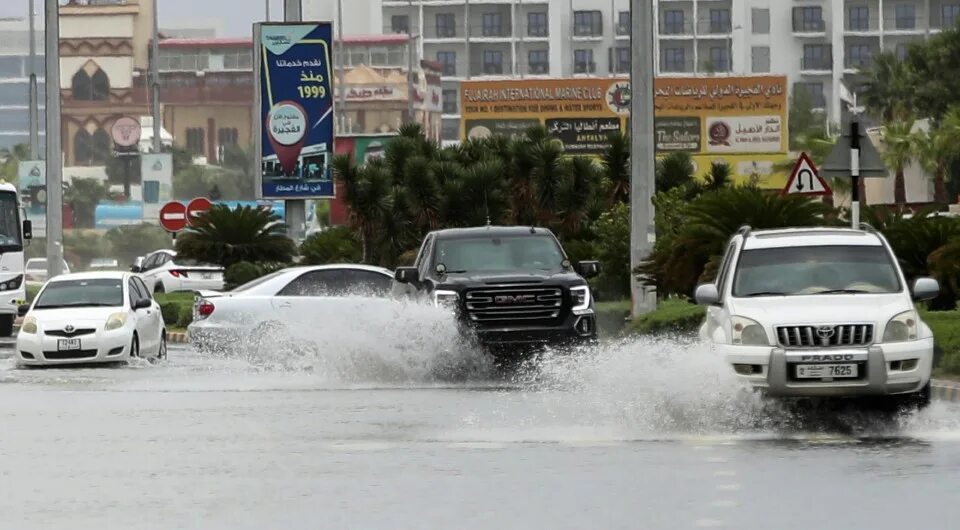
{"points": [[774, 369]]}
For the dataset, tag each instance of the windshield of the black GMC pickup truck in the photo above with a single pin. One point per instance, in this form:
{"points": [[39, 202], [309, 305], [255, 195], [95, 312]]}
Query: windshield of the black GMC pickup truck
{"points": [[499, 254]]}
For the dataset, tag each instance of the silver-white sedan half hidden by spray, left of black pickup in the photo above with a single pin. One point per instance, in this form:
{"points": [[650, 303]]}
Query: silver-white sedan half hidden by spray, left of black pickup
{"points": [[309, 296]]}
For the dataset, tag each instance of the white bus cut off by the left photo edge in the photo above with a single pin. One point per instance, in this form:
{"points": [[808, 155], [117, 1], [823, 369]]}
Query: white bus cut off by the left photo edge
{"points": [[14, 231]]}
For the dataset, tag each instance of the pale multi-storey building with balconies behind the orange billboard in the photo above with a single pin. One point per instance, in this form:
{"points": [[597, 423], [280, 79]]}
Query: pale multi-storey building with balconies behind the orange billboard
{"points": [[819, 44]]}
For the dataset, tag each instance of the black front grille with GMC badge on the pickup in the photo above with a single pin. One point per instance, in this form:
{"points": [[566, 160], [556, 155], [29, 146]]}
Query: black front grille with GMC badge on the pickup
{"points": [[514, 303]]}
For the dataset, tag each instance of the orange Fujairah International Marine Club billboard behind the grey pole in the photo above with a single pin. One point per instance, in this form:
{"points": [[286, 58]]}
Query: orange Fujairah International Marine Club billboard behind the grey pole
{"points": [[716, 115]]}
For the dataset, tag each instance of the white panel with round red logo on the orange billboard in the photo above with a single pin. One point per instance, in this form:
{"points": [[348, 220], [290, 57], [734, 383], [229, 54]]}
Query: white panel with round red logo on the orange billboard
{"points": [[747, 134]]}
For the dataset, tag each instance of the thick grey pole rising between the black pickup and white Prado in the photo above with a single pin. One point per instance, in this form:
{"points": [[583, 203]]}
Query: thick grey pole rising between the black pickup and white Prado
{"points": [[642, 154]]}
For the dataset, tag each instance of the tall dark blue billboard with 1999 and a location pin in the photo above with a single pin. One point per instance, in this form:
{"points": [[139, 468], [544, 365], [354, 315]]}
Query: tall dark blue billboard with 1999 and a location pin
{"points": [[294, 109]]}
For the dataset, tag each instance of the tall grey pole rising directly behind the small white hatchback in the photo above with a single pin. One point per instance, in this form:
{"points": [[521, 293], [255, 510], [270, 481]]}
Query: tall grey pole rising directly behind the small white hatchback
{"points": [[54, 152]]}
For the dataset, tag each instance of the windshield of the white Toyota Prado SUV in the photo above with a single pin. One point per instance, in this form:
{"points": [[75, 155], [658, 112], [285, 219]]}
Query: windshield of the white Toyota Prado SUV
{"points": [[823, 270]]}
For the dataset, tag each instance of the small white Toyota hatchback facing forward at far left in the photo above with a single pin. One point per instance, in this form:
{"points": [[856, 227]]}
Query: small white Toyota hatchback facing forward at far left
{"points": [[91, 317]]}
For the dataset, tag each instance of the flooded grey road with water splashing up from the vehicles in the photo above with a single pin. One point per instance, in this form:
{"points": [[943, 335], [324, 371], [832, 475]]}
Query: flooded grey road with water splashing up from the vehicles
{"points": [[637, 435]]}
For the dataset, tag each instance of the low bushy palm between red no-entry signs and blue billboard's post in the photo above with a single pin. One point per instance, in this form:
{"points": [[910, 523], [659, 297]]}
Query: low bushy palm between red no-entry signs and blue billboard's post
{"points": [[224, 236]]}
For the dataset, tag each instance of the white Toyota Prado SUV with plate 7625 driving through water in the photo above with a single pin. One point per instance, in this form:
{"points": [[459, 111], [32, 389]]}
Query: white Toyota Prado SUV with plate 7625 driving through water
{"points": [[807, 312]]}
